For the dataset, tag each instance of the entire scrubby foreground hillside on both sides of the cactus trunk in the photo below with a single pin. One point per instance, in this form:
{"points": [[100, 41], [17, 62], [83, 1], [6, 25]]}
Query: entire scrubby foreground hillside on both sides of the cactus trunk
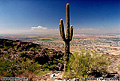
{"points": [[26, 59]]}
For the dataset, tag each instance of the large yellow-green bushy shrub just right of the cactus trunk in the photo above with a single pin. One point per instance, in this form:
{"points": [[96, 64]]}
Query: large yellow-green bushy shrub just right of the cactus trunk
{"points": [[81, 65]]}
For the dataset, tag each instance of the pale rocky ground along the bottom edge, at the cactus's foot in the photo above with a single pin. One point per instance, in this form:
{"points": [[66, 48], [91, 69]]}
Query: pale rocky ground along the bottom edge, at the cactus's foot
{"points": [[57, 76]]}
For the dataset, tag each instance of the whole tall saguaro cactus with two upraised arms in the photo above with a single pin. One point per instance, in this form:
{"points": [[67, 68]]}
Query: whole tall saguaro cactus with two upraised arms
{"points": [[69, 34]]}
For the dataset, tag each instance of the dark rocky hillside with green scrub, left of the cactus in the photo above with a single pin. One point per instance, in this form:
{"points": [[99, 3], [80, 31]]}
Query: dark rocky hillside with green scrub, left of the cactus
{"points": [[20, 59]]}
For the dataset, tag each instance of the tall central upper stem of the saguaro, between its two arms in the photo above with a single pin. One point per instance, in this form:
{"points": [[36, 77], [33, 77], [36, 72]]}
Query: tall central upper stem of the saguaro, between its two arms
{"points": [[67, 22]]}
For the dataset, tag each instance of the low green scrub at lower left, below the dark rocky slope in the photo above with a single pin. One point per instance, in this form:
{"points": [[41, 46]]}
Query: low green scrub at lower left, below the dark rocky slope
{"points": [[10, 68]]}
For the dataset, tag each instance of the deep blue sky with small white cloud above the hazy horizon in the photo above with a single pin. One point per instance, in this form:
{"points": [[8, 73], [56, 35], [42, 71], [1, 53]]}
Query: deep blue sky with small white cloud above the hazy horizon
{"points": [[43, 16]]}
